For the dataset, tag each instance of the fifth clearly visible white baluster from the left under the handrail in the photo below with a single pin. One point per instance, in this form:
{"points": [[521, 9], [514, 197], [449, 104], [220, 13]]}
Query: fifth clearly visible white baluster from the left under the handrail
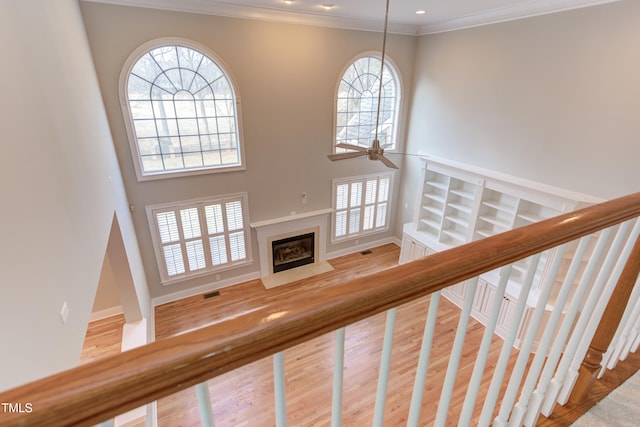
{"points": [[423, 361]]}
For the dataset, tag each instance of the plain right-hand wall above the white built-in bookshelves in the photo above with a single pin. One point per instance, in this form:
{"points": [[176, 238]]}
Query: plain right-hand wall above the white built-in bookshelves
{"points": [[554, 99]]}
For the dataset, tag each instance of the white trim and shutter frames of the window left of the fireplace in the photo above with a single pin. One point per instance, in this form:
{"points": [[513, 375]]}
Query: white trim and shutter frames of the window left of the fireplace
{"points": [[165, 279]]}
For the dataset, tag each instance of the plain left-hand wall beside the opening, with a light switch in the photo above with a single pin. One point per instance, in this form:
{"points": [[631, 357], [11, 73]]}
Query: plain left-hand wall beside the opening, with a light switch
{"points": [[60, 189]]}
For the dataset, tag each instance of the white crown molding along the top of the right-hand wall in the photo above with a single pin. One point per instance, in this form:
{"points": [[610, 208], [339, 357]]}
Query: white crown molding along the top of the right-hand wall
{"points": [[509, 13]]}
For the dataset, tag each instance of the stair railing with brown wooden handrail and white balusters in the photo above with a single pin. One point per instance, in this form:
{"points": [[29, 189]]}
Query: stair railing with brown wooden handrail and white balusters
{"points": [[99, 391]]}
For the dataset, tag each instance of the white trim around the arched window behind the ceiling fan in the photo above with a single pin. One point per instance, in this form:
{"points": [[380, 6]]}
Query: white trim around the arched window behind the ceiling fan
{"points": [[389, 62]]}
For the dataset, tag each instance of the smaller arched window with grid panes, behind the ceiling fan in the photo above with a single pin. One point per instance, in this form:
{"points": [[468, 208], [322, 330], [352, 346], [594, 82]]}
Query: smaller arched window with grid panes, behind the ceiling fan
{"points": [[357, 104]]}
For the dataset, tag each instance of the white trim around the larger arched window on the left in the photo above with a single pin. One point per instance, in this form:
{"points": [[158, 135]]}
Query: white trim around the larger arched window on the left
{"points": [[128, 118]]}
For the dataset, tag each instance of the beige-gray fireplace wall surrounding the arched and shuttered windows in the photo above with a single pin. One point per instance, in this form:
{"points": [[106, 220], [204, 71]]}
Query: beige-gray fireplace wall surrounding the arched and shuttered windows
{"points": [[286, 76]]}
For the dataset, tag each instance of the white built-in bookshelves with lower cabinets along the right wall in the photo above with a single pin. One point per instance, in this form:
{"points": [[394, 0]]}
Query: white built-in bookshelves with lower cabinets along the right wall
{"points": [[458, 203]]}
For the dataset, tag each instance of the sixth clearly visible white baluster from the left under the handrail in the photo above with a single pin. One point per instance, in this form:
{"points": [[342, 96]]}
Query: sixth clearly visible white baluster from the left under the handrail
{"points": [[456, 353]]}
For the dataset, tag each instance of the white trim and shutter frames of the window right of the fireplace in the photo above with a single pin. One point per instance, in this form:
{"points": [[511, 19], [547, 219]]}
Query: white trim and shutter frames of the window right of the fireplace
{"points": [[362, 179]]}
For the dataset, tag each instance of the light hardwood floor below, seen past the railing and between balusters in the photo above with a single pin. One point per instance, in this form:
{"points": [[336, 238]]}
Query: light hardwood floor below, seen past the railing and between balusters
{"points": [[244, 397]]}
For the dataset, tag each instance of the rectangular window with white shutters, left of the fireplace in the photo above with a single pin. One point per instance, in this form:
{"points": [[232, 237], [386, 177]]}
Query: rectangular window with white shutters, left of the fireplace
{"points": [[197, 237]]}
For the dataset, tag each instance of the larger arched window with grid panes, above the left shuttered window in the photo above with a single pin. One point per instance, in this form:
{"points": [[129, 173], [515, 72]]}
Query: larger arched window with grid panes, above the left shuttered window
{"points": [[183, 112]]}
